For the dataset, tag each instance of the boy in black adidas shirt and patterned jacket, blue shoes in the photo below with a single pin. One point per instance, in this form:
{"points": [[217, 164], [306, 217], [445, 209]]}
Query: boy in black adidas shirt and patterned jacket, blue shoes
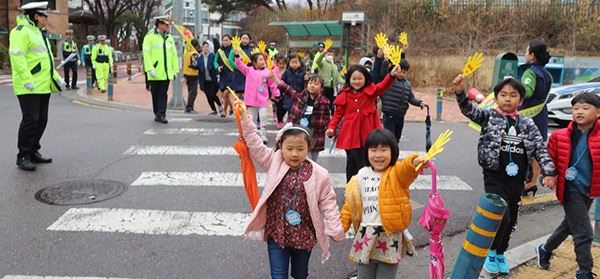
{"points": [[507, 144]]}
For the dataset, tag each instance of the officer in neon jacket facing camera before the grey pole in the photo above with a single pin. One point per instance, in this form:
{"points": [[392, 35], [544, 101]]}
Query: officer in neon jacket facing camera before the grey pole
{"points": [[161, 65]]}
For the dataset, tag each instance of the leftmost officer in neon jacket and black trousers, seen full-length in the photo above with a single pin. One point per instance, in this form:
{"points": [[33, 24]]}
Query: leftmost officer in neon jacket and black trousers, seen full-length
{"points": [[34, 78]]}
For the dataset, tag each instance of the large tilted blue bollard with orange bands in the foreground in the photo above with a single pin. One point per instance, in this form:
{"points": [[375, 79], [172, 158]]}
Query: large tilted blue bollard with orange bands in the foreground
{"points": [[480, 237]]}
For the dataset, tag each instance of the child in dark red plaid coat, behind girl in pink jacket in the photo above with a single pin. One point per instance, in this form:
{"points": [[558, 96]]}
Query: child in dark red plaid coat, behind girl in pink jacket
{"points": [[310, 109]]}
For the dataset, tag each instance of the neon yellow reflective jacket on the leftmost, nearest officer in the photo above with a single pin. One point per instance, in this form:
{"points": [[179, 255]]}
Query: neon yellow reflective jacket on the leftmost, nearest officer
{"points": [[31, 59]]}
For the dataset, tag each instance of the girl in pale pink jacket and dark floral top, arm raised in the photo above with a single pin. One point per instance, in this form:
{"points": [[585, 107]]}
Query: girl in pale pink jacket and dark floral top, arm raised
{"points": [[297, 209]]}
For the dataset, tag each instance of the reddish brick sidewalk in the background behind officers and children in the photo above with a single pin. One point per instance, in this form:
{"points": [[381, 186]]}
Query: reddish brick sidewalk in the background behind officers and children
{"points": [[134, 94]]}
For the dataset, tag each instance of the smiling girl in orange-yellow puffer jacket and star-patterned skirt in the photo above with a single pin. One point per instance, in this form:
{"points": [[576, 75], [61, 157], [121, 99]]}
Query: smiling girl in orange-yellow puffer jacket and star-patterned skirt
{"points": [[377, 206]]}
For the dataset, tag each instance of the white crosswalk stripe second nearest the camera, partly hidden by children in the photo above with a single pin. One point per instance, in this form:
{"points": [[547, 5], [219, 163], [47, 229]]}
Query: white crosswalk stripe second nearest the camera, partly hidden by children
{"points": [[235, 179]]}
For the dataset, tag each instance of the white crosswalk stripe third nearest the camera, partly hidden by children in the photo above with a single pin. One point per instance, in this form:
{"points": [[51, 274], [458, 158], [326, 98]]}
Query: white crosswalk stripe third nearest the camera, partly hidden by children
{"points": [[193, 150]]}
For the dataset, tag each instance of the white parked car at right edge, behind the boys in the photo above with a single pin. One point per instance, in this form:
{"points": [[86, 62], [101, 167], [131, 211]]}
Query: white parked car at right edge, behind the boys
{"points": [[559, 100]]}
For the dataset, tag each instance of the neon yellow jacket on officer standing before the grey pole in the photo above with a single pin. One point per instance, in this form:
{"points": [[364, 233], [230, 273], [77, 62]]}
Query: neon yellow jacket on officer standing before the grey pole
{"points": [[160, 55]]}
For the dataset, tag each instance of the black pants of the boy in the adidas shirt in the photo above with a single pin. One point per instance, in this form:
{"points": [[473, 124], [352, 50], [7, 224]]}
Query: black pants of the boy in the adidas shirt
{"points": [[510, 190]]}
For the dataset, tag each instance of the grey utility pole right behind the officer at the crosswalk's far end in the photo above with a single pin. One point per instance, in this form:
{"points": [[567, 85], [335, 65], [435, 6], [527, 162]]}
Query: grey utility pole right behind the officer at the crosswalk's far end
{"points": [[177, 101]]}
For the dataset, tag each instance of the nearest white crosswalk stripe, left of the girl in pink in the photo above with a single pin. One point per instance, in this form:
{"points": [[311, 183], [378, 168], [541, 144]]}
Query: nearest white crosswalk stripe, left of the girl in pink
{"points": [[155, 222]]}
